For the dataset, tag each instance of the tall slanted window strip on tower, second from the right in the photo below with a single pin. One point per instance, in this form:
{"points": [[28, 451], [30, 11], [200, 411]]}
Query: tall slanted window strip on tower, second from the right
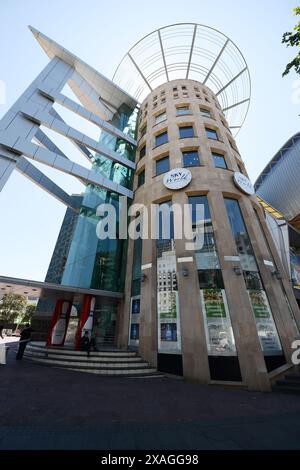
{"points": [[218, 328]]}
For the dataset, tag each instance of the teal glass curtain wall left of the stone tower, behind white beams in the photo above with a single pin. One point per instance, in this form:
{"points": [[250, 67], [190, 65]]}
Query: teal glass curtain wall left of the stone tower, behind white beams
{"points": [[94, 263]]}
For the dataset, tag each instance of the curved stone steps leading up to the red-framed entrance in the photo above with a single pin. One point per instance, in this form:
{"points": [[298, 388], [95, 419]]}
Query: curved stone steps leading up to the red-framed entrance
{"points": [[107, 362]]}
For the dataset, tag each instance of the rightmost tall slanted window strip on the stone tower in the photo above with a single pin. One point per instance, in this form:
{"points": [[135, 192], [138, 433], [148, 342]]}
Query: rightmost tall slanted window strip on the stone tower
{"points": [[266, 328]]}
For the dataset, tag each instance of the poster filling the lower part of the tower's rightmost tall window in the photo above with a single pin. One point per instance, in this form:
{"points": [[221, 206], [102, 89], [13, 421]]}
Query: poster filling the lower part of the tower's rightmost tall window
{"points": [[265, 324]]}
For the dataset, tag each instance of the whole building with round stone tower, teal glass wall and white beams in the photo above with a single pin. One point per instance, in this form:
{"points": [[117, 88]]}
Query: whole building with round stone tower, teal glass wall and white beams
{"points": [[210, 307]]}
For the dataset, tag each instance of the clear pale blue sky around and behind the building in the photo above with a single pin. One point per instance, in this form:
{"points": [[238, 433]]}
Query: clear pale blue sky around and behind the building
{"points": [[101, 32]]}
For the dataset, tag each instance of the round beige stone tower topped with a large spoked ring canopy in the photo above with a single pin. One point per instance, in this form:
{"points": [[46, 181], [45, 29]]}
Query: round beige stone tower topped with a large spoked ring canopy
{"points": [[222, 309]]}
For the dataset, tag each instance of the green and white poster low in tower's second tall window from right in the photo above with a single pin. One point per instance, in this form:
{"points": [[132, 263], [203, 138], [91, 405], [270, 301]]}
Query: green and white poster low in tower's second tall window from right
{"points": [[219, 334]]}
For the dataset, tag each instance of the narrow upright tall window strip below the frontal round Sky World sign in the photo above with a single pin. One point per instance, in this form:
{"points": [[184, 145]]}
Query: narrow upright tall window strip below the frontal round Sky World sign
{"points": [[169, 334]]}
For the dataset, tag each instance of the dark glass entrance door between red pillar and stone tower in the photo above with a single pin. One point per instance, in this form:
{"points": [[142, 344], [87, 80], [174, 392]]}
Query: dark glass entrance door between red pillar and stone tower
{"points": [[104, 328]]}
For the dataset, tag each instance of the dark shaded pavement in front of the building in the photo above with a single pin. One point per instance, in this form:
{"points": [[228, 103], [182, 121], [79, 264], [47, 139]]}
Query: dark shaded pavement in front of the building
{"points": [[47, 408]]}
